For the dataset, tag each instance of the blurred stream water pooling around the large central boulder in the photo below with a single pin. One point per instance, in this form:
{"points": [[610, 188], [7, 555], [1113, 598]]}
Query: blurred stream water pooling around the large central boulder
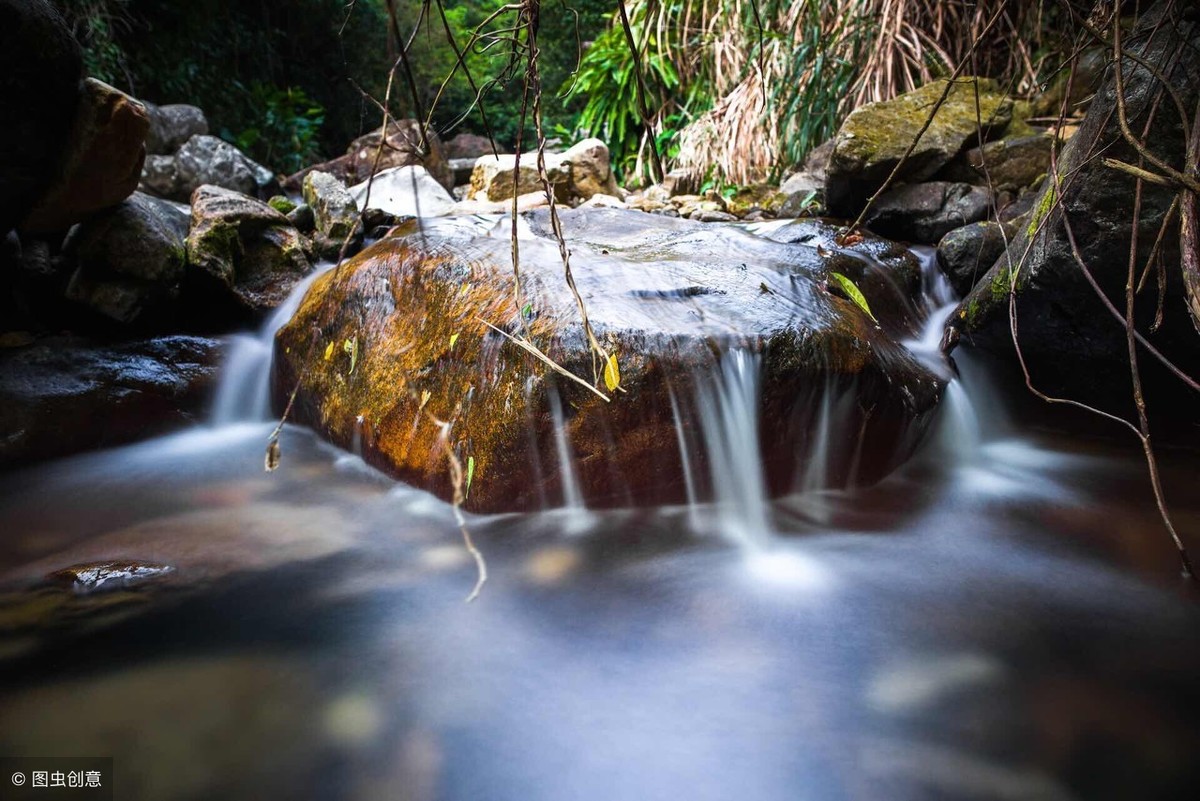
{"points": [[1000, 619]]}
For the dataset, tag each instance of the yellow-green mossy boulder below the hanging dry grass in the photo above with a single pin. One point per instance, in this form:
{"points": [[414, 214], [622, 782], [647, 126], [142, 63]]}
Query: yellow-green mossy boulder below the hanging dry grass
{"points": [[874, 138]]}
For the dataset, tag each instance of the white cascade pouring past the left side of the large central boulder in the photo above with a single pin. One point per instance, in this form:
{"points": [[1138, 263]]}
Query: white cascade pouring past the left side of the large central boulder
{"points": [[244, 393]]}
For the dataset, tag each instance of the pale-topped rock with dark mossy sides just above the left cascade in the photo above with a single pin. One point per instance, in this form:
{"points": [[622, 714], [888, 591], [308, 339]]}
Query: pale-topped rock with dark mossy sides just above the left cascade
{"points": [[244, 251]]}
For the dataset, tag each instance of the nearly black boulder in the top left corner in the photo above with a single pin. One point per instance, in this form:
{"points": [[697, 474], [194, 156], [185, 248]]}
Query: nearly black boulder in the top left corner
{"points": [[41, 67]]}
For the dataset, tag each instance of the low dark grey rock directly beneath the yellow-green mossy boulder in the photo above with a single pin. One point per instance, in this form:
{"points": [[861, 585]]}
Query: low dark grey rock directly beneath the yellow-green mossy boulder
{"points": [[926, 213]]}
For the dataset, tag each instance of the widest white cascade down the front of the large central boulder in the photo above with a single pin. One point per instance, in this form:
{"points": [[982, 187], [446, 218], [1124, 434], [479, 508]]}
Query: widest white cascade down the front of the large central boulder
{"points": [[729, 415]]}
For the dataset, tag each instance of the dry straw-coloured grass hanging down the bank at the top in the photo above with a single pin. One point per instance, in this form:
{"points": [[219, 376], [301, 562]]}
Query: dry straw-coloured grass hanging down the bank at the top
{"points": [[785, 74]]}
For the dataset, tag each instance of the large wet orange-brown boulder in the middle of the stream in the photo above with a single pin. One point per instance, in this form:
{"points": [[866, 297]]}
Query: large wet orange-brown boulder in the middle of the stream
{"points": [[398, 340]]}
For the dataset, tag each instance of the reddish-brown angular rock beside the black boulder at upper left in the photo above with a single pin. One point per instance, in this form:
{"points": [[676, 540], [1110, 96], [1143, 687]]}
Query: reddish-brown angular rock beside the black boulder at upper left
{"points": [[101, 165]]}
